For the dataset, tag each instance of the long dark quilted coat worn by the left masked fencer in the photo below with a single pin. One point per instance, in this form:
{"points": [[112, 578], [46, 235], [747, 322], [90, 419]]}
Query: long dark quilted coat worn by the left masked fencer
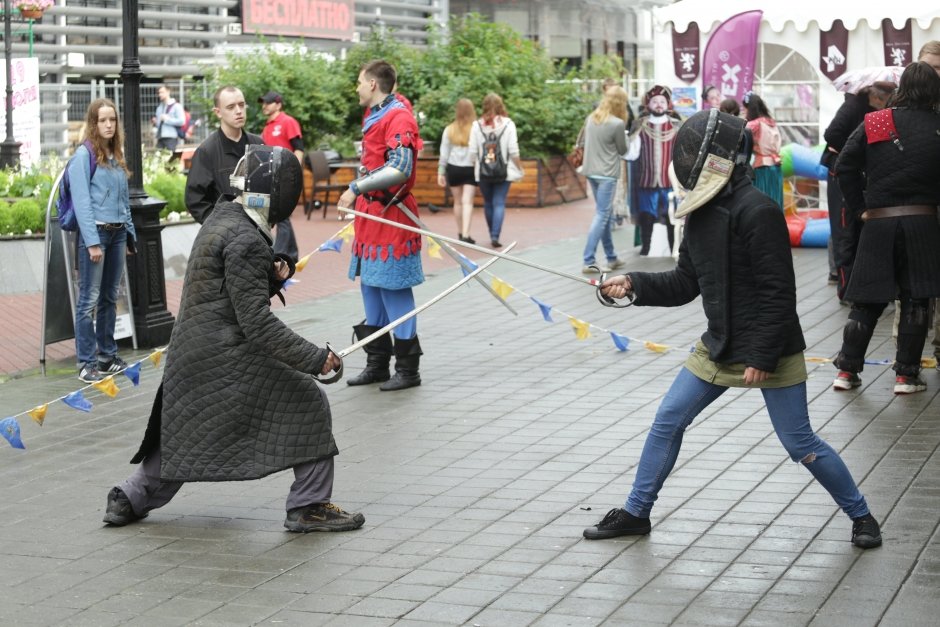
{"points": [[238, 397]]}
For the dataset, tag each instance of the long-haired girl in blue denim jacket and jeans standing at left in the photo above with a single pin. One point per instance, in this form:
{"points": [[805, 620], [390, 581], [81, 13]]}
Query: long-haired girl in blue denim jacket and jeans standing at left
{"points": [[106, 235]]}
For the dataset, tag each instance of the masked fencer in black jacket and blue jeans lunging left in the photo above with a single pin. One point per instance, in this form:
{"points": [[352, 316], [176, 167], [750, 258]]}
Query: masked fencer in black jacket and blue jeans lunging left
{"points": [[736, 255]]}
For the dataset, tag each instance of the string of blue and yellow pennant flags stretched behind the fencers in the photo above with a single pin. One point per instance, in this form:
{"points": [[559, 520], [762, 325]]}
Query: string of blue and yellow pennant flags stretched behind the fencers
{"points": [[10, 427]]}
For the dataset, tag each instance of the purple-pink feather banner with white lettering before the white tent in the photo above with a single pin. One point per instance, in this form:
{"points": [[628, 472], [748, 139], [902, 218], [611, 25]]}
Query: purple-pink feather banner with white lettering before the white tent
{"points": [[728, 62]]}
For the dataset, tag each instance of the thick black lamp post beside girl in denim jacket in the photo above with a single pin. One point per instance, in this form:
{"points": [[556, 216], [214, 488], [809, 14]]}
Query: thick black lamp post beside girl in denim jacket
{"points": [[152, 321]]}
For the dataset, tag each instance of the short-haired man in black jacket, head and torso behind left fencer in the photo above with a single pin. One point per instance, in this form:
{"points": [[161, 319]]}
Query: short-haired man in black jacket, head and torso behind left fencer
{"points": [[215, 159]]}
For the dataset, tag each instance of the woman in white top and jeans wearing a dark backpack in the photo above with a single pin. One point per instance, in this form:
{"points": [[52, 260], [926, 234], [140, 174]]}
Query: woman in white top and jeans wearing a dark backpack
{"points": [[495, 149]]}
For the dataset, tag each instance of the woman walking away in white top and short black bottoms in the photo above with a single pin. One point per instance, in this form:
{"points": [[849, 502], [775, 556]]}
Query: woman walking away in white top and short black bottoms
{"points": [[455, 167]]}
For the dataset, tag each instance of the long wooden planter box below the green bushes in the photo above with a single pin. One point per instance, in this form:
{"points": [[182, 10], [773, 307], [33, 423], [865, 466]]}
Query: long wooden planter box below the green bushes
{"points": [[548, 181]]}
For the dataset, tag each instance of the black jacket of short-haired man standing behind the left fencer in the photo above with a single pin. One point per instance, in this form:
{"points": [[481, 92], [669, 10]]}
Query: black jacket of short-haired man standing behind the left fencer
{"points": [[213, 163]]}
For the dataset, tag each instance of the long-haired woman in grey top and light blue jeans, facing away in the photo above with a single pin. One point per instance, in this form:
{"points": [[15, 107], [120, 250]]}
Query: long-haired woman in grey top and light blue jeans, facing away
{"points": [[605, 143]]}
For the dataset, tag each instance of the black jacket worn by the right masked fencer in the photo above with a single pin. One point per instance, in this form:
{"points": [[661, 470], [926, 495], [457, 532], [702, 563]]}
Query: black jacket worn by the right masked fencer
{"points": [[736, 254]]}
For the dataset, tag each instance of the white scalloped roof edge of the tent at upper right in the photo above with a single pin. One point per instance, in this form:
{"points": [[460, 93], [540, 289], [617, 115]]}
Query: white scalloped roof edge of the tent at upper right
{"points": [[708, 13]]}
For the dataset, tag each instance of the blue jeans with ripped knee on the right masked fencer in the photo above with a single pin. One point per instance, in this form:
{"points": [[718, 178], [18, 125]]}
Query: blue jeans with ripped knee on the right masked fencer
{"points": [[789, 415]]}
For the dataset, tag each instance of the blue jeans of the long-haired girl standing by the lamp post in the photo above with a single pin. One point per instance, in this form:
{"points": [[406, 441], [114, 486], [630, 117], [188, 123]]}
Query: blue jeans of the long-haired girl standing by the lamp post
{"points": [[97, 290]]}
